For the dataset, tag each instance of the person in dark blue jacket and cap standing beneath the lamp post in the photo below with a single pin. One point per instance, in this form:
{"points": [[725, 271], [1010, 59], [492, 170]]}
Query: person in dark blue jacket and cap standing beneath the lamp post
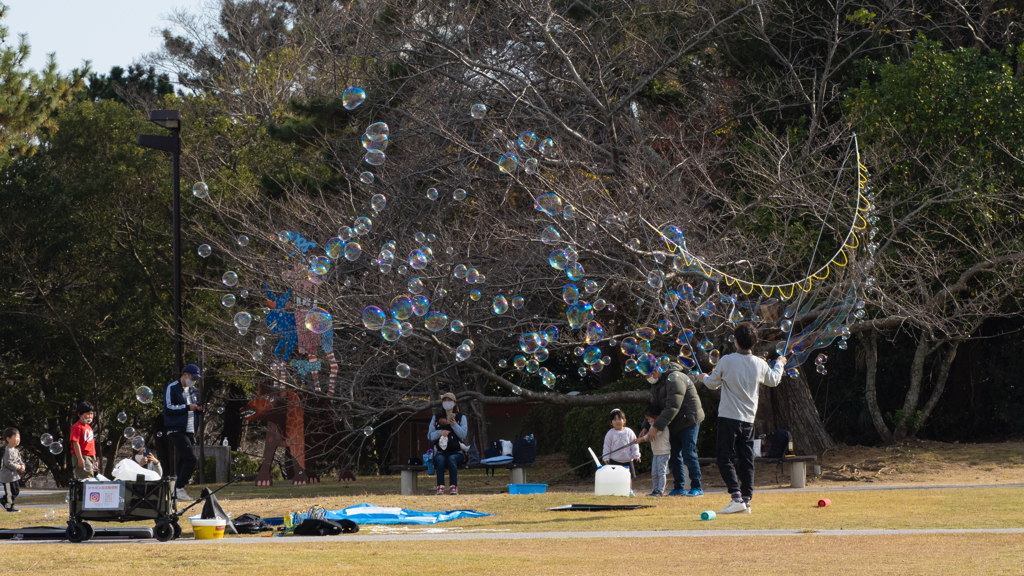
{"points": [[181, 405]]}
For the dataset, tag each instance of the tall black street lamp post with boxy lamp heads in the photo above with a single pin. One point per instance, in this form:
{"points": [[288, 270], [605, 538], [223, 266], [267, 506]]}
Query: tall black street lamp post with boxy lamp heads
{"points": [[172, 119]]}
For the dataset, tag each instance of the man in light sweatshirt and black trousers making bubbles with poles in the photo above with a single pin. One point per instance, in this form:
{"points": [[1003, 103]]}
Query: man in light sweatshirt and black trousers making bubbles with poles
{"points": [[739, 375]]}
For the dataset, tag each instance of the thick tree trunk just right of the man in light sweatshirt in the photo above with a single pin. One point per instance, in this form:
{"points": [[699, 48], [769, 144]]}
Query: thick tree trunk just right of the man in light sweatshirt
{"points": [[791, 407]]}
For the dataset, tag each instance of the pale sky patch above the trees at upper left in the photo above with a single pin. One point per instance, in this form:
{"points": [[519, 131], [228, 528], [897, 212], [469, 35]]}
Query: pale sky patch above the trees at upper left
{"points": [[107, 32]]}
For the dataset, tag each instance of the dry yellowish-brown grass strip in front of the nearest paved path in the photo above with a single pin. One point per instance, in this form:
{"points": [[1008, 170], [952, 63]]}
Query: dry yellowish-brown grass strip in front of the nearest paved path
{"points": [[944, 555]]}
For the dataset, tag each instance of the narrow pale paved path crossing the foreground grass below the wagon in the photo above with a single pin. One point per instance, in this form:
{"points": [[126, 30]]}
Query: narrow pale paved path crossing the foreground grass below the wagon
{"points": [[462, 537]]}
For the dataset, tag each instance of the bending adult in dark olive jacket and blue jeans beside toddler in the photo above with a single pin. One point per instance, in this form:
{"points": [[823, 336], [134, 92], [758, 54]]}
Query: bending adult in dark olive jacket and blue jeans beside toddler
{"points": [[681, 416]]}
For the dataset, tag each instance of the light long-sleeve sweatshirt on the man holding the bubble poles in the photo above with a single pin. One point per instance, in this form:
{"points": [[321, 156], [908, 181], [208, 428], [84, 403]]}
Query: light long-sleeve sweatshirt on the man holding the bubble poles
{"points": [[739, 375]]}
